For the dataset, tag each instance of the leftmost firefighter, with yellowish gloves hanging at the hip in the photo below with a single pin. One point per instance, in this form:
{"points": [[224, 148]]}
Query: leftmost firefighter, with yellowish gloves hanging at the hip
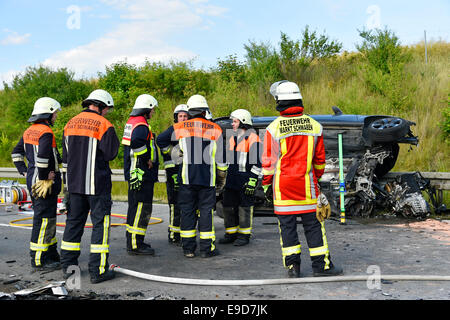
{"points": [[43, 177]]}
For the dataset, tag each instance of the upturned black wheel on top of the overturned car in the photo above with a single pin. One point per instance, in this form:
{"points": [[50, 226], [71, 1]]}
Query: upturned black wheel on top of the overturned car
{"points": [[388, 129]]}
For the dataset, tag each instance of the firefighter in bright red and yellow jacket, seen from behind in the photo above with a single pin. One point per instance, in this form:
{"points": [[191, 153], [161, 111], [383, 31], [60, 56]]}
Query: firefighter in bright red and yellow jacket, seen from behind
{"points": [[293, 161]]}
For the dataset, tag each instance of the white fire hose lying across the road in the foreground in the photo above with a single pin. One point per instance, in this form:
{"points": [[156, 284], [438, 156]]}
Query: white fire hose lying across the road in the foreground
{"points": [[259, 282]]}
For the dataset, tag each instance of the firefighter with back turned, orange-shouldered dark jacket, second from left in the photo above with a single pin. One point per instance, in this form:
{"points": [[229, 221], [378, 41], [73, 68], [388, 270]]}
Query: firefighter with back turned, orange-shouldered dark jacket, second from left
{"points": [[89, 143]]}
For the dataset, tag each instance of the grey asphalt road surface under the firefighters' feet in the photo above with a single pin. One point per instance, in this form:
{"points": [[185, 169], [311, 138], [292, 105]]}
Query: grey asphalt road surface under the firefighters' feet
{"points": [[390, 245]]}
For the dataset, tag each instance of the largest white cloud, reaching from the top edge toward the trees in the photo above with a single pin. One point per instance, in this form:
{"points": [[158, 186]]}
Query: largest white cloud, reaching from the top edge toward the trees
{"points": [[141, 35]]}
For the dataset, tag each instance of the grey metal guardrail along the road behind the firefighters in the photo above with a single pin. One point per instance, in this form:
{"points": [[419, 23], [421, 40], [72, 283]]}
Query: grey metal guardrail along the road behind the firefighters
{"points": [[439, 180]]}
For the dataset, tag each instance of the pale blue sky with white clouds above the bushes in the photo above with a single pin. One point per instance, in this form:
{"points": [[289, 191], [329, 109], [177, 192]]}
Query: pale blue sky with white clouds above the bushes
{"points": [[86, 36]]}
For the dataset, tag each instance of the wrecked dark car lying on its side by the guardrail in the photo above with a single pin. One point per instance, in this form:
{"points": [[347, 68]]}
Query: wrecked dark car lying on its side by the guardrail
{"points": [[370, 150]]}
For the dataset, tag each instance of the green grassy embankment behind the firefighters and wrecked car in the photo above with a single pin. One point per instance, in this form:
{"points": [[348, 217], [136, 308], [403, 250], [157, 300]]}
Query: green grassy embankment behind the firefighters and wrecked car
{"points": [[415, 91]]}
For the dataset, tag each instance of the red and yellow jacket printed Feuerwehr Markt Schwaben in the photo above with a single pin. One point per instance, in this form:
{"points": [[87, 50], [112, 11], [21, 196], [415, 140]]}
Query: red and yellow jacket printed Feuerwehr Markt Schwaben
{"points": [[293, 160]]}
